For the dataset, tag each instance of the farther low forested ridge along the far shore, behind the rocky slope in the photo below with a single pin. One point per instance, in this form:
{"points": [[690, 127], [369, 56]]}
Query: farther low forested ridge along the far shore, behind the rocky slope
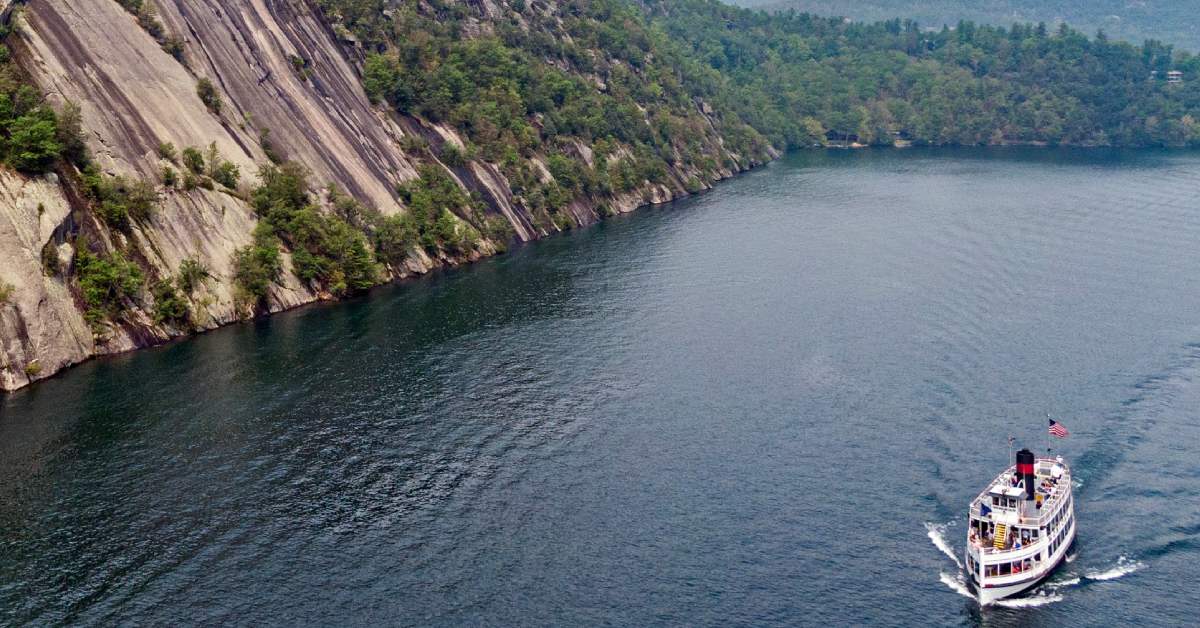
{"points": [[967, 86]]}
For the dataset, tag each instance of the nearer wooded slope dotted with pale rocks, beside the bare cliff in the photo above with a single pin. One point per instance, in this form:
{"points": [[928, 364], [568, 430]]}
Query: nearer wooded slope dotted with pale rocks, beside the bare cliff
{"points": [[586, 92]]}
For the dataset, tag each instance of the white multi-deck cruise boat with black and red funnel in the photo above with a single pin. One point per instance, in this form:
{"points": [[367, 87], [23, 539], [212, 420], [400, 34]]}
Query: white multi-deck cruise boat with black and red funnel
{"points": [[1021, 528]]}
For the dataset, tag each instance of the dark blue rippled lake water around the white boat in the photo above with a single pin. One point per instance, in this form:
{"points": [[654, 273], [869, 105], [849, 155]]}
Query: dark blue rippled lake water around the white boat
{"points": [[769, 405]]}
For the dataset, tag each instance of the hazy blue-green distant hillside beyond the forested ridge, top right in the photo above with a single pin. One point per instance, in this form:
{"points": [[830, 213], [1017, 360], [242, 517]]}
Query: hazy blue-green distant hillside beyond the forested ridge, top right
{"points": [[1171, 21]]}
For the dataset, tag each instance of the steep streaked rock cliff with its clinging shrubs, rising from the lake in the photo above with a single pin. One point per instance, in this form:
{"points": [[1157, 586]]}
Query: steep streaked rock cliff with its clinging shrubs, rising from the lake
{"points": [[243, 83]]}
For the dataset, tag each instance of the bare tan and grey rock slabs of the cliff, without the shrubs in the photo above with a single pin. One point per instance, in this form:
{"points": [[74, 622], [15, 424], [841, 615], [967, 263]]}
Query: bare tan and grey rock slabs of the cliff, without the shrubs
{"points": [[290, 89]]}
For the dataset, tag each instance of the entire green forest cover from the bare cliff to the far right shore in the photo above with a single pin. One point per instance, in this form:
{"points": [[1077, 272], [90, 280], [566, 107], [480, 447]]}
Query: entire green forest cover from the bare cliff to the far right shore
{"points": [[635, 77]]}
